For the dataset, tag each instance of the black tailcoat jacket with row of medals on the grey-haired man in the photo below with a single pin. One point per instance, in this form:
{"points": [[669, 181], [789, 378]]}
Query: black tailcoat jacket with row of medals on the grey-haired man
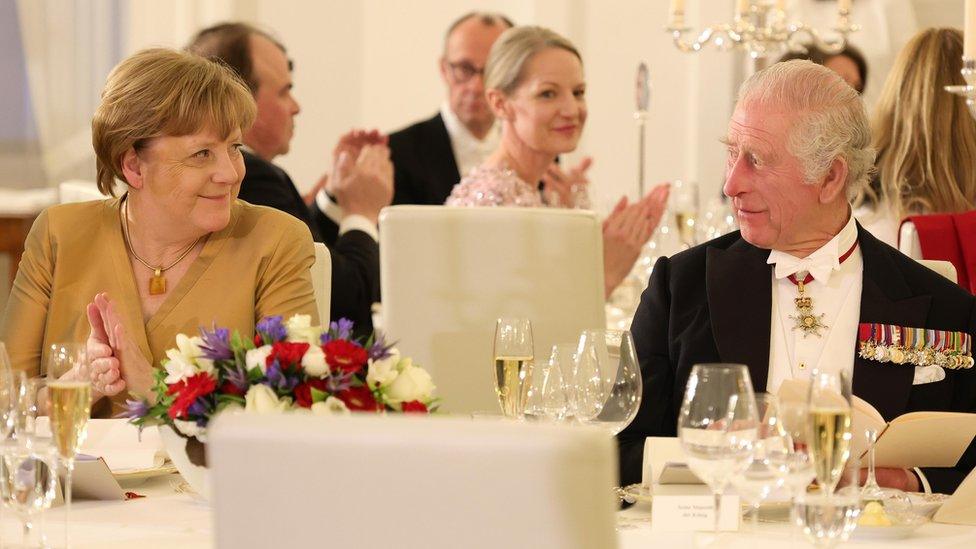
{"points": [[712, 303]]}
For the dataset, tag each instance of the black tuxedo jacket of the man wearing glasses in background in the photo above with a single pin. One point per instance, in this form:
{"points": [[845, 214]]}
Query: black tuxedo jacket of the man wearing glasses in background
{"points": [[424, 167]]}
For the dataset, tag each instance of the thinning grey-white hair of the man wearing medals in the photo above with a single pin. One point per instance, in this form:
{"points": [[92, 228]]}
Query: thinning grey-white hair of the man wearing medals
{"points": [[831, 120]]}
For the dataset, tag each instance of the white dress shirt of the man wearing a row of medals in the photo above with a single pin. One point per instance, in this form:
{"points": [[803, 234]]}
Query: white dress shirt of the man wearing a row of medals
{"points": [[836, 293]]}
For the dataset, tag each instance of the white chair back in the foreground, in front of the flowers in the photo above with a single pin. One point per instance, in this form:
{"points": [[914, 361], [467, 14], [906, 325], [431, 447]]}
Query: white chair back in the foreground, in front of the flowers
{"points": [[409, 482]]}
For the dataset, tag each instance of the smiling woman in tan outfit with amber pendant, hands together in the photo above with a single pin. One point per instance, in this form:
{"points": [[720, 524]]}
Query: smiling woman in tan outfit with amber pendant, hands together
{"points": [[175, 252]]}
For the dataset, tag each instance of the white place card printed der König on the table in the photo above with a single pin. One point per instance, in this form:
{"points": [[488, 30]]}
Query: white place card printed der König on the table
{"points": [[693, 513]]}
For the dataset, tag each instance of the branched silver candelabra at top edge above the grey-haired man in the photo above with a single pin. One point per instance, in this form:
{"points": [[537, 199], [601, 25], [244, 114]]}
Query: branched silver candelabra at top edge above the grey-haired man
{"points": [[761, 29]]}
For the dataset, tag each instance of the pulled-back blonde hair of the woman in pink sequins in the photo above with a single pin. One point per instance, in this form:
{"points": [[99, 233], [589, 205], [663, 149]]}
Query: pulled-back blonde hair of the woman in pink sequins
{"points": [[513, 49]]}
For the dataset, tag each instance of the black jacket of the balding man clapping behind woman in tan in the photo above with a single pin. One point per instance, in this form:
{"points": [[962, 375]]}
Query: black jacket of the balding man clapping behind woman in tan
{"points": [[355, 255]]}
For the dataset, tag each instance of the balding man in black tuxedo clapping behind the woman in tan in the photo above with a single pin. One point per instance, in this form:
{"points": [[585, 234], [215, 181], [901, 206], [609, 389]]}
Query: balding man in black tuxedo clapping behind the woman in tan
{"points": [[362, 179]]}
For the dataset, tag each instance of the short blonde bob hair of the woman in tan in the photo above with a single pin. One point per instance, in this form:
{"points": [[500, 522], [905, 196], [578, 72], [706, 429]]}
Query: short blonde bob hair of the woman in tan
{"points": [[159, 92]]}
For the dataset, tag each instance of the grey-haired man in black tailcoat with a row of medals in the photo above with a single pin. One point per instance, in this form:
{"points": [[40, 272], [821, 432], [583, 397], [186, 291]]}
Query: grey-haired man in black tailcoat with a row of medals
{"points": [[798, 141]]}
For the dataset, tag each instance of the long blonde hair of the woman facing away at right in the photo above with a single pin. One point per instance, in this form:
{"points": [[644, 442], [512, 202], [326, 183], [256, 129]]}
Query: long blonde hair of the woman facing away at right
{"points": [[925, 137]]}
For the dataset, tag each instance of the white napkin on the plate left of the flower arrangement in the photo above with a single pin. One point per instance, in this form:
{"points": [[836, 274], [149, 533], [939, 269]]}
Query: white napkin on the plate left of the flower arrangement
{"points": [[118, 443]]}
